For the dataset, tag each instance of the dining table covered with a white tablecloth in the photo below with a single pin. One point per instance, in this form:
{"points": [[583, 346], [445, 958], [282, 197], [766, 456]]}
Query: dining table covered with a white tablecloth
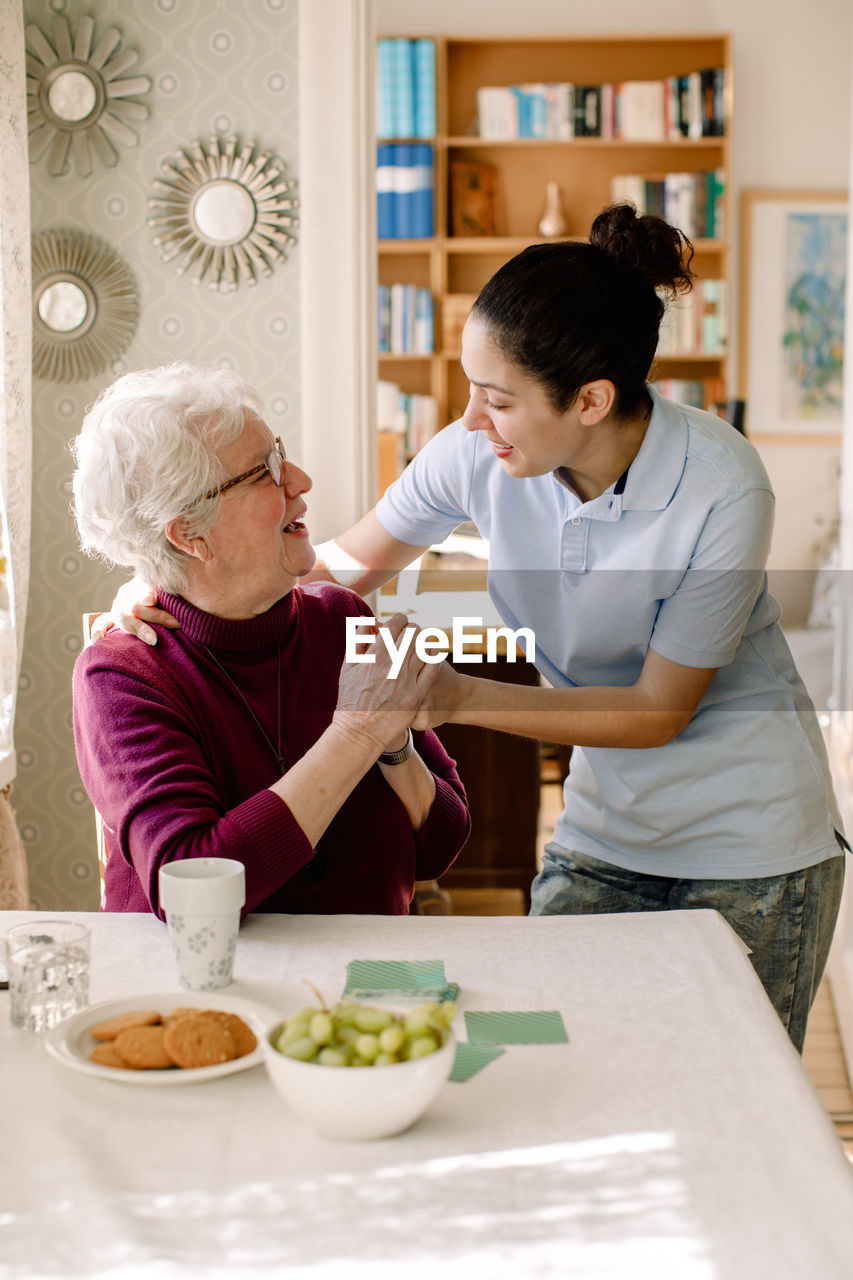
{"points": [[676, 1136]]}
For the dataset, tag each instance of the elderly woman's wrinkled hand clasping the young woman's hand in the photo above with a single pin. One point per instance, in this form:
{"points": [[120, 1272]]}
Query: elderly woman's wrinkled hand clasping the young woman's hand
{"points": [[377, 706]]}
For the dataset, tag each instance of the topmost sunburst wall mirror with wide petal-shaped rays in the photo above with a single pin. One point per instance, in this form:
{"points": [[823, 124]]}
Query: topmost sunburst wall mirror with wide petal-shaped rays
{"points": [[79, 102]]}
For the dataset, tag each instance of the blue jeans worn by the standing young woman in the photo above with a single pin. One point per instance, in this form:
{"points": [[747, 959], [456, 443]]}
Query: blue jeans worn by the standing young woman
{"points": [[786, 921]]}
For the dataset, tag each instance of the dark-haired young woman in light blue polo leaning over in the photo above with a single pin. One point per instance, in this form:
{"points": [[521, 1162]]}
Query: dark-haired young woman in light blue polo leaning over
{"points": [[631, 534]]}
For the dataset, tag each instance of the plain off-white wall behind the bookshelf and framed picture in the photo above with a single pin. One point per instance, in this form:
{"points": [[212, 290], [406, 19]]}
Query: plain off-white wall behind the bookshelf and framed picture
{"points": [[792, 83]]}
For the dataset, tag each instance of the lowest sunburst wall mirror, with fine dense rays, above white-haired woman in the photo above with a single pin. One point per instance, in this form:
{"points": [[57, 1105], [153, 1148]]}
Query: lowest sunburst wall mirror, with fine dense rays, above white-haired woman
{"points": [[85, 307]]}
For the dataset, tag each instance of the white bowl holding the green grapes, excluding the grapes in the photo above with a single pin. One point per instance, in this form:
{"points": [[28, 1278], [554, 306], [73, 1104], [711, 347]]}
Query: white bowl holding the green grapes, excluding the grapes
{"points": [[358, 1104]]}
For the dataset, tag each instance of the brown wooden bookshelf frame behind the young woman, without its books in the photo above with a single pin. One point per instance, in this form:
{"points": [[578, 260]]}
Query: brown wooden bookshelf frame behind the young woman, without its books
{"points": [[583, 167]]}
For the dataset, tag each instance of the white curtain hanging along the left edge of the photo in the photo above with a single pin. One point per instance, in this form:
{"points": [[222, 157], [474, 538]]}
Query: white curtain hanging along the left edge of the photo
{"points": [[16, 441]]}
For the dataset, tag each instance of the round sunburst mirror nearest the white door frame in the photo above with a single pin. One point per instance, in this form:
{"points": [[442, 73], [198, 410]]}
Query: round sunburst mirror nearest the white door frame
{"points": [[225, 212]]}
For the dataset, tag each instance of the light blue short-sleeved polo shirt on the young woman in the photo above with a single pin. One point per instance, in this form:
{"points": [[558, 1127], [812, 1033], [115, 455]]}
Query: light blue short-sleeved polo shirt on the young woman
{"points": [[676, 563]]}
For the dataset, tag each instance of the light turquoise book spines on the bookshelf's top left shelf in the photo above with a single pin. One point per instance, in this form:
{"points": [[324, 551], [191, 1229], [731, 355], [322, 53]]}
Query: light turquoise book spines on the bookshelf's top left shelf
{"points": [[407, 89]]}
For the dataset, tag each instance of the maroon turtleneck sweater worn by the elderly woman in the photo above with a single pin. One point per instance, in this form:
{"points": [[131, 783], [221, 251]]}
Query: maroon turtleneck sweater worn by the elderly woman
{"points": [[177, 769]]}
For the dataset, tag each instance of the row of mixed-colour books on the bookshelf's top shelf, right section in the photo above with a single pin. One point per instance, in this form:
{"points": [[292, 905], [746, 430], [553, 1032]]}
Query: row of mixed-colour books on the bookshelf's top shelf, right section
{"points": [[679, 107]]}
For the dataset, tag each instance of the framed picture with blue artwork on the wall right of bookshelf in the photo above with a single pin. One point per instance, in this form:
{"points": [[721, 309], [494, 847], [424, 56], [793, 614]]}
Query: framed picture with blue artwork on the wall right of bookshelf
{"points": [[793, 275]]}
